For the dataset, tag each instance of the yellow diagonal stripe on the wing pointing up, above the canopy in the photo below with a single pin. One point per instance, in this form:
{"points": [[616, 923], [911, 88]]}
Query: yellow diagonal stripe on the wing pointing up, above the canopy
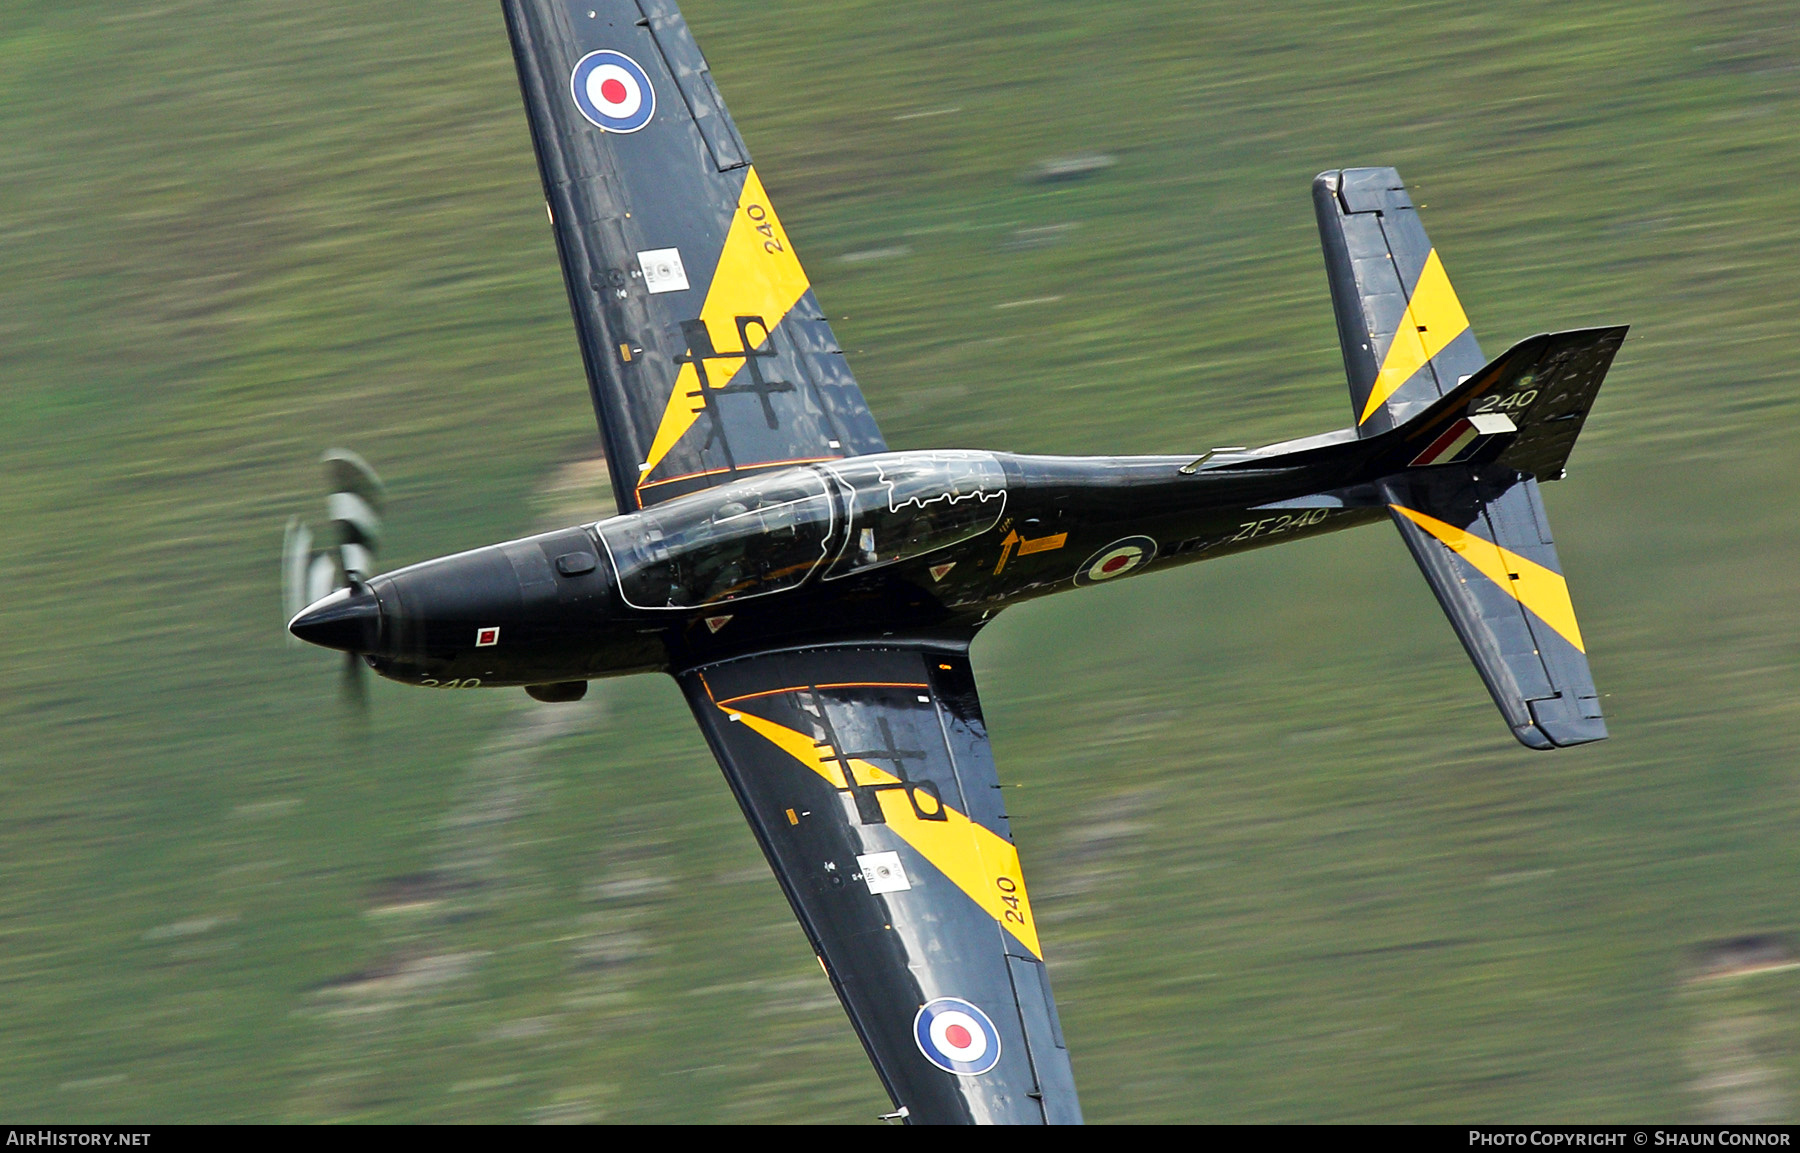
{"points": [[757, 276]]}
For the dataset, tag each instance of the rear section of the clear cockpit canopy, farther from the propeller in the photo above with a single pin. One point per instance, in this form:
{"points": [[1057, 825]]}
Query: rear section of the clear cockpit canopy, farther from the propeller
{"points": [[912, 505]]}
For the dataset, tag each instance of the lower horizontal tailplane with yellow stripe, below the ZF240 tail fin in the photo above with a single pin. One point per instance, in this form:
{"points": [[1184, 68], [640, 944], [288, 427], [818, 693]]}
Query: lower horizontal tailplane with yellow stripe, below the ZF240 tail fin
{"points": [[1482, 541]]}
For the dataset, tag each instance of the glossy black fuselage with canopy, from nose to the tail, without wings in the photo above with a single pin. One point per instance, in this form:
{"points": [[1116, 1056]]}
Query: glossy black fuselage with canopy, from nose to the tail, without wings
{"points": [[922, 546]]}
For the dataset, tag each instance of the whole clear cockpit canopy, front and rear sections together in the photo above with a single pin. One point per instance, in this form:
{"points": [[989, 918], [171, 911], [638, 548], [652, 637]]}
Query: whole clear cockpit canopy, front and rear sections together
{"points": [[766, 535]]}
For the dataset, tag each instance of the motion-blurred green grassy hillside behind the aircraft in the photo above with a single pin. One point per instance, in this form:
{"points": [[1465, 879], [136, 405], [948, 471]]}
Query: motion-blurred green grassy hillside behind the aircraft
{"points": [[1290, 863]]}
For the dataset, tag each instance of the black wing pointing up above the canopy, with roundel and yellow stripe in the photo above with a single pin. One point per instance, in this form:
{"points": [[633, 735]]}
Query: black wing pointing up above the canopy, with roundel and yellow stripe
{"points": [[706, 352]]}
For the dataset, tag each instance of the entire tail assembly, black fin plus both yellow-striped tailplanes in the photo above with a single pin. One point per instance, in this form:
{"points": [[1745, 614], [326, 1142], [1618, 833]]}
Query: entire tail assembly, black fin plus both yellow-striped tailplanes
{"points": [[1455, 449]]}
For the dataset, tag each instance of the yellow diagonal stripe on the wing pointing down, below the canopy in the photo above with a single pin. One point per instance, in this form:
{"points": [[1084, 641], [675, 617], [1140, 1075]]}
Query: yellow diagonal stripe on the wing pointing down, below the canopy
{"points": [[976, 859]]}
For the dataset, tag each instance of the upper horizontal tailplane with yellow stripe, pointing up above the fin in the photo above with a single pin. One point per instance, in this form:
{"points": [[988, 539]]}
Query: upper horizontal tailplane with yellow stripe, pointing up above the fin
{"points": [[1405, 337]]}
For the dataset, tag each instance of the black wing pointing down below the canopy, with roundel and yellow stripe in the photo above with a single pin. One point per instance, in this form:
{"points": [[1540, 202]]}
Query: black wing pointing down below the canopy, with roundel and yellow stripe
{"points": [[867, 776]]}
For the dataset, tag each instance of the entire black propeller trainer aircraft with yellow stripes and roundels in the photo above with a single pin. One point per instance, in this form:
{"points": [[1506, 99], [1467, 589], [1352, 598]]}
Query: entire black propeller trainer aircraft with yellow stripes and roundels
{"points": [[816, 594]]}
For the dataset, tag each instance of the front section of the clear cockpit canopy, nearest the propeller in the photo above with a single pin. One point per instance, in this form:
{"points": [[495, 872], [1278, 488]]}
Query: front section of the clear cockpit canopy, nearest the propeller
{"points": [[739, 541]]}
